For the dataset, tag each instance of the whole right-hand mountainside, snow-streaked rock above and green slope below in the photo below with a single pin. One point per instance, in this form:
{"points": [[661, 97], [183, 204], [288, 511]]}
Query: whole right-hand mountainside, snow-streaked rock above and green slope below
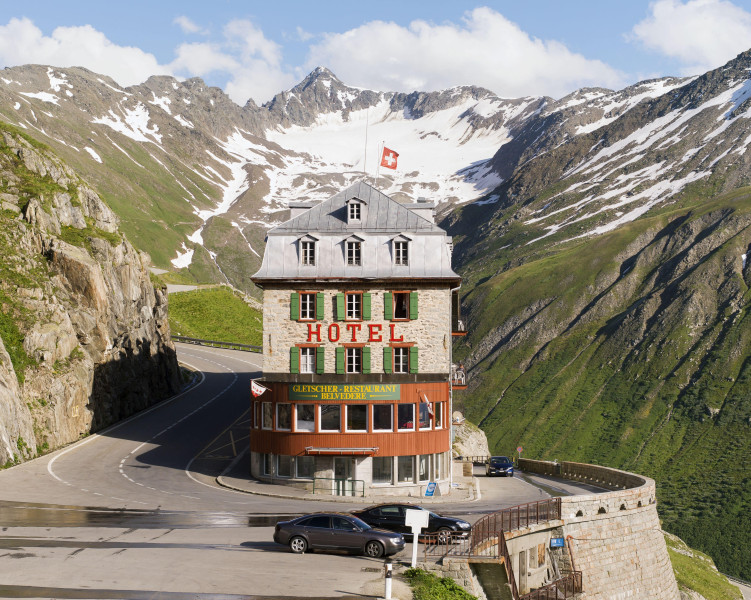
{"points": [[607, 293]]}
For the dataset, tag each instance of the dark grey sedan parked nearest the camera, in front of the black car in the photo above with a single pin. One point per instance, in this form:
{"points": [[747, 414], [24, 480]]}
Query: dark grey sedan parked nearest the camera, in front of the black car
{"points": [[334, 531]]}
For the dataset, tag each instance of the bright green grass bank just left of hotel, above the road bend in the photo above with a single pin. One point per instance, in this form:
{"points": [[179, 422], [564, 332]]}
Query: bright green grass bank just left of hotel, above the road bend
{"points": [[214, 314]]}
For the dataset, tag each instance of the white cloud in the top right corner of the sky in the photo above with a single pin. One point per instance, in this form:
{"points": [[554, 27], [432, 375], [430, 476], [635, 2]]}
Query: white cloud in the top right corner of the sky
{"points": [[701, 34]]}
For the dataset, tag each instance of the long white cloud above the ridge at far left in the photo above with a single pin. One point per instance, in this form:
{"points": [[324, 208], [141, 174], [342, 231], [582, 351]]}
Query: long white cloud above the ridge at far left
{"points": [[22, 42]]}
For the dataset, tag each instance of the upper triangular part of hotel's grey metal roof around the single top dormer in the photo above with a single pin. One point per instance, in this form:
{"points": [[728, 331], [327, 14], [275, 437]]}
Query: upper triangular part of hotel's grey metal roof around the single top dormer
{"points": [[382, 214]]}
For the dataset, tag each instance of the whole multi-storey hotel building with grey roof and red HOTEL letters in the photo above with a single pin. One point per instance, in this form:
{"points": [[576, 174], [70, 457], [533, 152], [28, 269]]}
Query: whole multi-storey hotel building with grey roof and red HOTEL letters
{"points": [[358, 325]]}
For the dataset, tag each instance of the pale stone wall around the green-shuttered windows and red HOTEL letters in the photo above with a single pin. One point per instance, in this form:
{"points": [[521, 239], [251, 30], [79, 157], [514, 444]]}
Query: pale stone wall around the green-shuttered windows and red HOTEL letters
{"points": [[430, 331]]}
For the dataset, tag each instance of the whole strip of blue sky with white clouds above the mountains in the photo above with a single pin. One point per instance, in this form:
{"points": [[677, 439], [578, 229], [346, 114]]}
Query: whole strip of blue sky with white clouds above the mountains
{"points": [[256, 49]]}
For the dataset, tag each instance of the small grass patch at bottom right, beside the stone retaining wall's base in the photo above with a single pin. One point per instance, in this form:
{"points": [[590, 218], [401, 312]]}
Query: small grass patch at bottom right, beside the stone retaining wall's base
{"points": [[696, 571]]}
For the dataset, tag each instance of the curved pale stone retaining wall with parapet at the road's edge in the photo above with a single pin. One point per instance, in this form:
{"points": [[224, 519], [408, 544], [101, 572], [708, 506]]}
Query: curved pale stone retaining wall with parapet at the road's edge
{"points": [[614, 537]]}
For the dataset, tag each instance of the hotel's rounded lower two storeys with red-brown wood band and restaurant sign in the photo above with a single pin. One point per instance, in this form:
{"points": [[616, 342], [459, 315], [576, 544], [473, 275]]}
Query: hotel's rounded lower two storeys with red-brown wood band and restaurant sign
{"points": [[385, 438]]}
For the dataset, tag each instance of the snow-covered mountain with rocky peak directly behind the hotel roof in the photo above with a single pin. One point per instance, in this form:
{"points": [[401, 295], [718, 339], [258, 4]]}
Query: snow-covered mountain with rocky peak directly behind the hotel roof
{"points": [[197, 180]]}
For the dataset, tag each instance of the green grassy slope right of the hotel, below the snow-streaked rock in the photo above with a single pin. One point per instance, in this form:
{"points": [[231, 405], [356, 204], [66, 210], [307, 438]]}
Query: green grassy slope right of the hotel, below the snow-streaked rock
{"points": [[632, 350]]}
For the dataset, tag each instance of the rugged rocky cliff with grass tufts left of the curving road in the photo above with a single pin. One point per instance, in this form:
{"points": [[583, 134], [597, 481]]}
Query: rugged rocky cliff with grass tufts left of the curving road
{"points": [[84, 338]]}
